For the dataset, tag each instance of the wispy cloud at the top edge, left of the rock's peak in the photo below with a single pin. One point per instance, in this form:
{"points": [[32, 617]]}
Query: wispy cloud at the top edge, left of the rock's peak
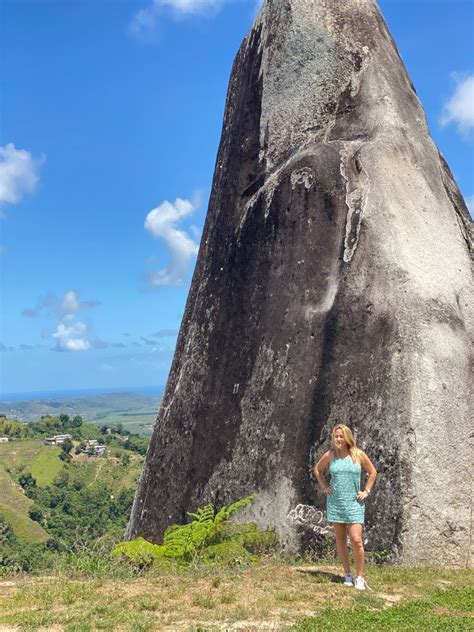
{"points": [[144, 23]]}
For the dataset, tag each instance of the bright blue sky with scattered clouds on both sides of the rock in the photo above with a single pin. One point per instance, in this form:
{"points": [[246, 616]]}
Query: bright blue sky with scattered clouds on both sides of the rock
{"points": [[111, 114]]}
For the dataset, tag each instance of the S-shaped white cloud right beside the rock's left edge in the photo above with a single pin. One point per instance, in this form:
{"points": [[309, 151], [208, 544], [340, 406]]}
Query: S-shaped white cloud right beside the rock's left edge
{"points": [[162, 223]]}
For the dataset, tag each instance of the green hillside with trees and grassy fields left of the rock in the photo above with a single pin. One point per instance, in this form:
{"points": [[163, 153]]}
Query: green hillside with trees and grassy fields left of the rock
{"points": [[56, 499]]}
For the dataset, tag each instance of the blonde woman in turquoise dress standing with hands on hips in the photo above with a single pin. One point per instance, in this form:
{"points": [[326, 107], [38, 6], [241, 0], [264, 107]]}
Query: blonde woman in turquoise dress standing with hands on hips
{"points": [[345, 500]]}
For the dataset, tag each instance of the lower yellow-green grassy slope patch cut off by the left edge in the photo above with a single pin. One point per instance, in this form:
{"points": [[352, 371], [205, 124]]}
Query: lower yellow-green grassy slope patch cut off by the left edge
{"points": [[14, 507]]}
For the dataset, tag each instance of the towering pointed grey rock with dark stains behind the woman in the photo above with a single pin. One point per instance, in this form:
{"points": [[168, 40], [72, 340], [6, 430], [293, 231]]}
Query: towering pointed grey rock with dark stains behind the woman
{"points": [[333, 284]]}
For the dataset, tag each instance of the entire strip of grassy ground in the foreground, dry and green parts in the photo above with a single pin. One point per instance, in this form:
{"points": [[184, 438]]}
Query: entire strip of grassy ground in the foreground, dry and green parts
{"points": [[271, 596]]}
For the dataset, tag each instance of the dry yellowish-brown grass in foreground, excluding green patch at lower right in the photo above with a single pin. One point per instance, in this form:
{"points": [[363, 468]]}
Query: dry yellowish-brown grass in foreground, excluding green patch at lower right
{"points": [[268, 597]]}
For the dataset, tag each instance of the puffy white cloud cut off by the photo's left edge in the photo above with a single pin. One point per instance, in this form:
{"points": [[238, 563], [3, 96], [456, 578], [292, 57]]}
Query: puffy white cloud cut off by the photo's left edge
{"points": [[18, 173]]}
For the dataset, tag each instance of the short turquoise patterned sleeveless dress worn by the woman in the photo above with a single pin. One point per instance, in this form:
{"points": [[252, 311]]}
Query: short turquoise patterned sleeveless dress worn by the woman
{"points": [[342, 504]]}
